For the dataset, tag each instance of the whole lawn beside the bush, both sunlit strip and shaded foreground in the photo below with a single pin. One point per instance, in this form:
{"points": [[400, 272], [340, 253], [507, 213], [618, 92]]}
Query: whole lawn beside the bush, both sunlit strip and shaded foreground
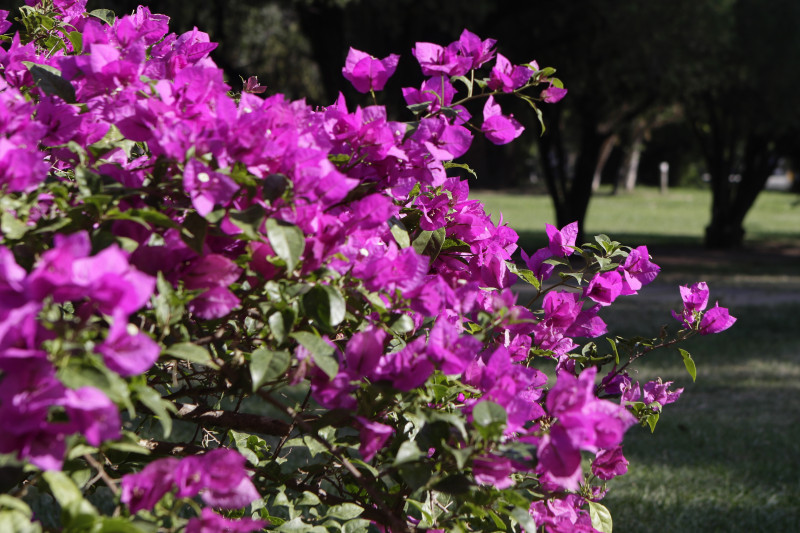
{"points": [[726, 456]]}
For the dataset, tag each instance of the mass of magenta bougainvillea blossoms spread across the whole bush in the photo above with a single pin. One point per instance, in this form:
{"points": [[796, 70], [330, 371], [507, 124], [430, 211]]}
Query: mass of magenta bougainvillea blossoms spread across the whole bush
{"points": [[374, 216]]}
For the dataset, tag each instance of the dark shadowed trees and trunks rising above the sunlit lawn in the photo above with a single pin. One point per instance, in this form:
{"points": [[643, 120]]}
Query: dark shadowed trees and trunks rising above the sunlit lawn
{"points": [[701, 93]]}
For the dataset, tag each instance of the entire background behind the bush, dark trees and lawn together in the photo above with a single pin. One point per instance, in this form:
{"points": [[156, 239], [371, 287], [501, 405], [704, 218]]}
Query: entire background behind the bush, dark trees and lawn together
{"points": [[681, 130]]}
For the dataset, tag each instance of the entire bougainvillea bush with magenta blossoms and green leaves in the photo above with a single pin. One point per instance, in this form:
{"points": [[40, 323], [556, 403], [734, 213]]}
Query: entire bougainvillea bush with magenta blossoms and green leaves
{"points": [[225, 311]]}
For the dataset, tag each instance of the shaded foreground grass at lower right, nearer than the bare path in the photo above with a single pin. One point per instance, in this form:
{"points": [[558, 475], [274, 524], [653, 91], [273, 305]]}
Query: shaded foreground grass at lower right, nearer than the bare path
{"points": [[725, 456]]}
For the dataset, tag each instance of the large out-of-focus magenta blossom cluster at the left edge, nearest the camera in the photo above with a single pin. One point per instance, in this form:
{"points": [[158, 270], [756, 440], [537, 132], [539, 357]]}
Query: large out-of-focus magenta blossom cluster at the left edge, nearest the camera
{"points": [[103, 284]]}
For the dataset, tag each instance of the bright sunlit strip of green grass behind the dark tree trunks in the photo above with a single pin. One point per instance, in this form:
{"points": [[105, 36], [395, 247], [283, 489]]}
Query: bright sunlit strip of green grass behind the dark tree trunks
{"points": [[646, 216]]}
